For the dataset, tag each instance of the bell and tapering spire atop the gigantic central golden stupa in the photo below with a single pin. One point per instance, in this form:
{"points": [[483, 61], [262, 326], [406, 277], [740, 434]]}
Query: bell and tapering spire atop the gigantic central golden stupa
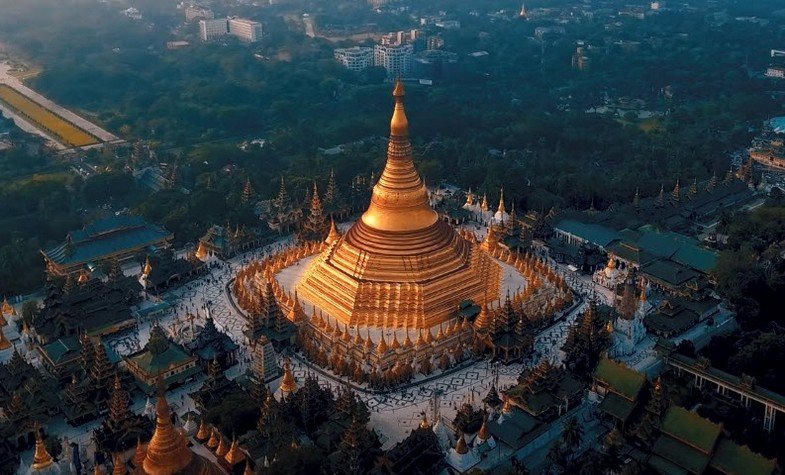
{"points": [[400, 200]]}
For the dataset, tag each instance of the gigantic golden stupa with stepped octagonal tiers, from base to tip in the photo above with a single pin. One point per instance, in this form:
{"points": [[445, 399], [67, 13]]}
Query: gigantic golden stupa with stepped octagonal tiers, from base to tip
{"points": [[399, 265]]}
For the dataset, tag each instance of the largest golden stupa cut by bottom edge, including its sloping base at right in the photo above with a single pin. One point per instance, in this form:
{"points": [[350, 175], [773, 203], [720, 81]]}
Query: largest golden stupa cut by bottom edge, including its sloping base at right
{"points": [[167, 452]]}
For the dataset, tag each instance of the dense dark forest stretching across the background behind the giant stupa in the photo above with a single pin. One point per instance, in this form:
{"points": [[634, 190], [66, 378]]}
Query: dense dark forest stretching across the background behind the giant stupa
{"points": [[193, 105]]}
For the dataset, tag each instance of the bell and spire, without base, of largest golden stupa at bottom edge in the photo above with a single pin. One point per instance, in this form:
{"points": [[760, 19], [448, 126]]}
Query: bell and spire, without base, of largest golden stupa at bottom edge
{"points": [[167, 452]]}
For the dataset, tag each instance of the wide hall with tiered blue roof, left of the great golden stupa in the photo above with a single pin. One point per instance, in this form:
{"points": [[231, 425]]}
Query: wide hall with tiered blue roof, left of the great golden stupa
{"points": [[116, 238]]}
